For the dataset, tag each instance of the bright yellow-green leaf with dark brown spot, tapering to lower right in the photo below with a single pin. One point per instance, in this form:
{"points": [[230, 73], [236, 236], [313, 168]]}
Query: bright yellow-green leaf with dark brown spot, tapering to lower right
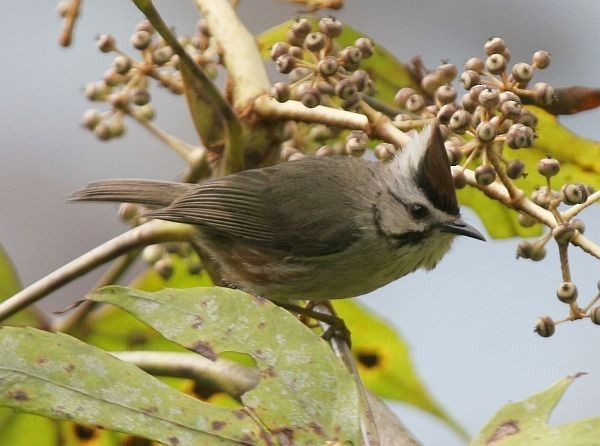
{"points": [[384, 362]]}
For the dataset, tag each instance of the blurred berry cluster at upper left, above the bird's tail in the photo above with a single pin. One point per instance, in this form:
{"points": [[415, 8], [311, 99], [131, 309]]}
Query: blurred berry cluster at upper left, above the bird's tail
{"points": [[125, 85]]}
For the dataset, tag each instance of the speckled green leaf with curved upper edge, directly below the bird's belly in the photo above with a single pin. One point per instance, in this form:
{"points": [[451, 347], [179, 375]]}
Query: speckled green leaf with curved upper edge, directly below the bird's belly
{"points": [[304, 390]]}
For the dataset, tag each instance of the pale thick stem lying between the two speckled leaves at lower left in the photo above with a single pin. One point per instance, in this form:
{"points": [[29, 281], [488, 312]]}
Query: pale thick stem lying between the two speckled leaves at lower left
{"points": [[228, 376]]}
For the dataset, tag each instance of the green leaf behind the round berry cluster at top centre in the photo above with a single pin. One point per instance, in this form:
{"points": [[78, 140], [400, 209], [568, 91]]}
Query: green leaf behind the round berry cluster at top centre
{"points": [[388, 73]]}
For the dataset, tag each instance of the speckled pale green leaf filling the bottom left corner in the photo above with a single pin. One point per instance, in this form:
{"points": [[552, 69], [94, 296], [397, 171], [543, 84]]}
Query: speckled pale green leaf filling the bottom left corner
{"points": [[60, 377]]}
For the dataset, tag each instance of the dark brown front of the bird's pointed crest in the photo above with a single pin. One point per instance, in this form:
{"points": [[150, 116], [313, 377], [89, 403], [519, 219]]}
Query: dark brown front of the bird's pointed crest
{"points": [[433, 175]]}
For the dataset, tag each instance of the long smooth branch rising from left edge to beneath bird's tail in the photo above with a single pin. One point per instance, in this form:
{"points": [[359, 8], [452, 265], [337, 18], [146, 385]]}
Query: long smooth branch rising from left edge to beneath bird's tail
{"points": [[155, 231]]}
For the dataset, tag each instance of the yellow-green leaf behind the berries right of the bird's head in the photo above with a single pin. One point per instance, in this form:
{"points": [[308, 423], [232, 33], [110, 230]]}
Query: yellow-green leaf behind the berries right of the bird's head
{"points": [[579, 159]]}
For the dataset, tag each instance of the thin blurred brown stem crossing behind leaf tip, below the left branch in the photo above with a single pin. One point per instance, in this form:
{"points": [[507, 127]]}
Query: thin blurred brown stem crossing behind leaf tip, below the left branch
{"points": [[77, 318]]}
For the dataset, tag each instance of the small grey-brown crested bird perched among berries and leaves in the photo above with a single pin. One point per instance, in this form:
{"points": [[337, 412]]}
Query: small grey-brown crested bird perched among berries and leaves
{"points": [[316, 228]]}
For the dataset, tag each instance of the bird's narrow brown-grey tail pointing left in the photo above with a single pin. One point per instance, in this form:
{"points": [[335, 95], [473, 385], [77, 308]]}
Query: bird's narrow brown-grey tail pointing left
{"points": [[148, 192]]}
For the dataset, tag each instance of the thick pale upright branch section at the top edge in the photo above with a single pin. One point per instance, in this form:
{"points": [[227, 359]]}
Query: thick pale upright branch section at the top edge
{"points": [[240, 51]]}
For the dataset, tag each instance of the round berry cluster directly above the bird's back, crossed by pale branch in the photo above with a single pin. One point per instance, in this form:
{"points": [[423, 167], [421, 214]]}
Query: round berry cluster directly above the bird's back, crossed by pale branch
{"points": [[321, 73]]}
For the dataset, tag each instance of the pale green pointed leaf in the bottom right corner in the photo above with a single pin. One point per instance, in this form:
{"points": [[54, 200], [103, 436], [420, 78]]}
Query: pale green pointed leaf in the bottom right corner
{"points": [[525, 423]]}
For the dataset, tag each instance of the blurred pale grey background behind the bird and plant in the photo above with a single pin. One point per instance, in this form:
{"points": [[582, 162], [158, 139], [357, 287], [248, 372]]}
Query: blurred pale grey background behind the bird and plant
{"points": [[469, 322]]}
